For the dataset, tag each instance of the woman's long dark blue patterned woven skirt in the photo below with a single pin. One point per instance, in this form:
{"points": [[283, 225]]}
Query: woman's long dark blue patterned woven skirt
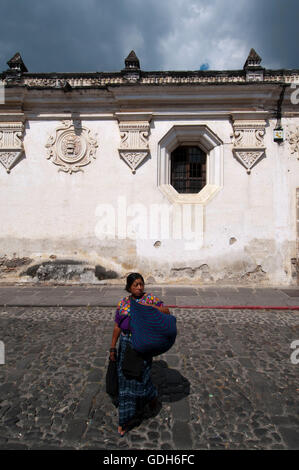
{"points": [[132, 393]]}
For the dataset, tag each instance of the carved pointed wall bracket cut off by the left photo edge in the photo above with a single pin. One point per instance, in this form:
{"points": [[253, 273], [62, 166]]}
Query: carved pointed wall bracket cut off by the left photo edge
{"points": [[11, 145]]}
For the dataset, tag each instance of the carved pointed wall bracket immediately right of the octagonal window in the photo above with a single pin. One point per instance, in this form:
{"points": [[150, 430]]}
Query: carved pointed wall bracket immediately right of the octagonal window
{"points": [[248, 142]]}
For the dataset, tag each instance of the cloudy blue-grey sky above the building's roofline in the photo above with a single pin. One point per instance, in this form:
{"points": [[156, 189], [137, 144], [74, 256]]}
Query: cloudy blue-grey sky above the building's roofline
{"points": [[97, 35]]}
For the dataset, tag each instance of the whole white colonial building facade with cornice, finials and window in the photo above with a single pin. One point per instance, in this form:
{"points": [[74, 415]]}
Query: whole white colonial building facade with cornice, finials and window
{"points": [[186, 177]]}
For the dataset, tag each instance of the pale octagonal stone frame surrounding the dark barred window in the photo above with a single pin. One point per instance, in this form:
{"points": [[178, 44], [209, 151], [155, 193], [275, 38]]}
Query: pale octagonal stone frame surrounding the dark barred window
{"points": [[210, 143]]}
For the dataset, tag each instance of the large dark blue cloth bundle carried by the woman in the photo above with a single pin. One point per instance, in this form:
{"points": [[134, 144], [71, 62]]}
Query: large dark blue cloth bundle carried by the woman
{"points": [[153, 332]]}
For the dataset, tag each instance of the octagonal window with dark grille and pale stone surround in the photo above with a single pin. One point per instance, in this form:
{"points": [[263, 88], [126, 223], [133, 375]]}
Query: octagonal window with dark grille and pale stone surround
{"points": [[190, 164]]}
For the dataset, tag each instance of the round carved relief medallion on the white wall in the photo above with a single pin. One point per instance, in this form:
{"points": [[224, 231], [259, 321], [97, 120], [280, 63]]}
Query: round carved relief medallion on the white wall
{"points": [[71, 147]]}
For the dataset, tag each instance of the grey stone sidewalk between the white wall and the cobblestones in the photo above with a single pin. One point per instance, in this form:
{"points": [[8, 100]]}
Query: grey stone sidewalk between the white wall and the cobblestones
{"points": [[109, 295]]}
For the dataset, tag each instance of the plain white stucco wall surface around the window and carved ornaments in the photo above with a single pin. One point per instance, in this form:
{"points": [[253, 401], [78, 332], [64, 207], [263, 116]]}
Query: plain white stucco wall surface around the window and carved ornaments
{"points": [[248, 228]]}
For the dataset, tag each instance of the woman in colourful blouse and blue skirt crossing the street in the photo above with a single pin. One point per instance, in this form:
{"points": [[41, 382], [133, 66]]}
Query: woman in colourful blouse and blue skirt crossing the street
{"points": [[132, 391]]}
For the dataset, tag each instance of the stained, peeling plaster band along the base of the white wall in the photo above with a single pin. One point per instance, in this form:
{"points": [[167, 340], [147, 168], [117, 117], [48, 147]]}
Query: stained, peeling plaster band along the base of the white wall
{"points": [[87, 261]]}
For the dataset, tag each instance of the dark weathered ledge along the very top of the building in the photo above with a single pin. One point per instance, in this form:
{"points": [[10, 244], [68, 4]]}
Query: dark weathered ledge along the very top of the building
{"points": [[143, 78]]}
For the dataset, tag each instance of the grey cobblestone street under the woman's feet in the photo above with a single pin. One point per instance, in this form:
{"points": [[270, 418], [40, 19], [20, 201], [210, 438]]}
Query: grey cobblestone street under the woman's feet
{"points": [[228, 382]]}
